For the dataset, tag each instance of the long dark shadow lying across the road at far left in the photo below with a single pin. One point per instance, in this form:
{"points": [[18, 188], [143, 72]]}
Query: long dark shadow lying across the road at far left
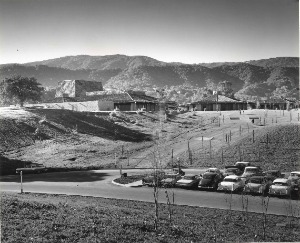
{"points": [[72, 176]]}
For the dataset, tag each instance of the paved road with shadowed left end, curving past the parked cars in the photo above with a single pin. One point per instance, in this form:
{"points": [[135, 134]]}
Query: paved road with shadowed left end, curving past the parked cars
{"points": [[98, 183]]}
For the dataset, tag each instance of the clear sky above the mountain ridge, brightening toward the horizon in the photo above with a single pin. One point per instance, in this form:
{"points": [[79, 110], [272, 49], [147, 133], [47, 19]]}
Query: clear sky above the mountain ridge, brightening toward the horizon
{"points": [[188, 31]]}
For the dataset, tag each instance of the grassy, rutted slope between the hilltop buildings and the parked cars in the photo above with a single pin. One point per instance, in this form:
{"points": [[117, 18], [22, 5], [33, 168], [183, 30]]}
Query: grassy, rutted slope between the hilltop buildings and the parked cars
{"points": [[67, 139]]}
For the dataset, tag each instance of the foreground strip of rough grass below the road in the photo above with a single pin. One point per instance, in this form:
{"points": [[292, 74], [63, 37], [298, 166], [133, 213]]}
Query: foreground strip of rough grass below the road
{"points": [[58, 218]]}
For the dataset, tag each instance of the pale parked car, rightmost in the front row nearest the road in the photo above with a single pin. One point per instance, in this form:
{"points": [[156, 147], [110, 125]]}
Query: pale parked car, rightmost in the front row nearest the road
{"points": [[282, 187]]}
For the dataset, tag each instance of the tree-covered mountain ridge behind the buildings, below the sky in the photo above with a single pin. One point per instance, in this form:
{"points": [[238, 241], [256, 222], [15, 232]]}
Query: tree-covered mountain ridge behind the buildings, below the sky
{"points": [[255, 77]]}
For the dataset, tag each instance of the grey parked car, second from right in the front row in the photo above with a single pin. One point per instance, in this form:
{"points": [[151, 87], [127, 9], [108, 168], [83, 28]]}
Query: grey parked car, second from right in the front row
{"points": [[257, 185]]}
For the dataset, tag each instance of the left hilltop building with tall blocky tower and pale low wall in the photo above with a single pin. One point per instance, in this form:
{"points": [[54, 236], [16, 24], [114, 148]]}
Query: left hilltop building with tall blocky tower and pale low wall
{"points": [[82, 95]]}
